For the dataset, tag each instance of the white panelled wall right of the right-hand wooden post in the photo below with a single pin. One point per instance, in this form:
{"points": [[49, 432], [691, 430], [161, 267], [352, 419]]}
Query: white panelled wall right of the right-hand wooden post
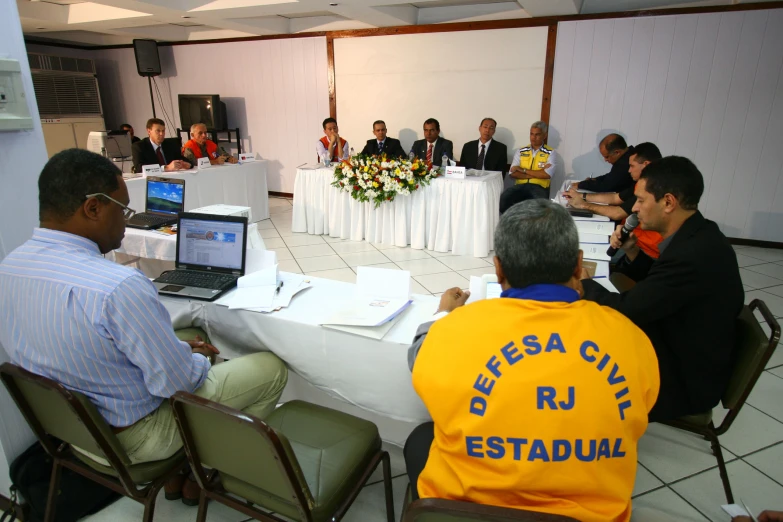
{"points": [[708, 87]]}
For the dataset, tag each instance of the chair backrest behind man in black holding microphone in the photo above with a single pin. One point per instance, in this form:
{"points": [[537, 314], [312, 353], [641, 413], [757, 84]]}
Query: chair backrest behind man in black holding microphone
{"points": [[751, 353]]}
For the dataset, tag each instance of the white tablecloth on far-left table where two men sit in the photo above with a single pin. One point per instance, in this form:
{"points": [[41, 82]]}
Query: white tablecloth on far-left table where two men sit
{"points": [[242, 185]]}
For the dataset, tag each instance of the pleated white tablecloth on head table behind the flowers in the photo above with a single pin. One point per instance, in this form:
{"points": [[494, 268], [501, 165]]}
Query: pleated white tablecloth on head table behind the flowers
{"points": [[448, 215]]}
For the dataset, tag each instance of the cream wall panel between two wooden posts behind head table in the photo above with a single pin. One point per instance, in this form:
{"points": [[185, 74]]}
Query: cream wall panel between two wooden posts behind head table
{"points": [[458, 78]]}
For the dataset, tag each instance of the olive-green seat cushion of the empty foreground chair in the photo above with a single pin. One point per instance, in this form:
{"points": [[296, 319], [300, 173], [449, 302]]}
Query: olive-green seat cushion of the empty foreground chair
{"points": [[332, 448]]}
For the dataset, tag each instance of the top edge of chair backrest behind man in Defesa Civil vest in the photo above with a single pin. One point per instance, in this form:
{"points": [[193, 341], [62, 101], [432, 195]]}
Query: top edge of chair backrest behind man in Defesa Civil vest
{"points": [[440, 510]]}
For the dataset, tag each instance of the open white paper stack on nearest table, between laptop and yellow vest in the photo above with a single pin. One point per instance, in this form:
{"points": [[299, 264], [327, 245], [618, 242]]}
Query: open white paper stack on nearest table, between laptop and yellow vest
{"points": [[382, 295]]}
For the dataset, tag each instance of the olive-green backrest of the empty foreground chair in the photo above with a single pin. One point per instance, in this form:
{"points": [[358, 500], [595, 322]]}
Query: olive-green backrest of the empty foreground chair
{"points": [[244, 448]]}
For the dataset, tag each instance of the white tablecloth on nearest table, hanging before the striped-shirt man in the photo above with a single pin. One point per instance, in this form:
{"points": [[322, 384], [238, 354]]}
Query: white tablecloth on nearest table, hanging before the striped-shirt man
{"points": [[368, 377]]}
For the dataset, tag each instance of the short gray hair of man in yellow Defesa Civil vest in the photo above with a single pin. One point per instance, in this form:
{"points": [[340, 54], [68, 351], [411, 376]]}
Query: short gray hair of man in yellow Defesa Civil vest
{"points": [[537, 243]]}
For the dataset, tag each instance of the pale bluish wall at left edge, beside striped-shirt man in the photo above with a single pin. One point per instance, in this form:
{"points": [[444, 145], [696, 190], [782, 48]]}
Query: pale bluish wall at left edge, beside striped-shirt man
{"points": [[22, 156]]}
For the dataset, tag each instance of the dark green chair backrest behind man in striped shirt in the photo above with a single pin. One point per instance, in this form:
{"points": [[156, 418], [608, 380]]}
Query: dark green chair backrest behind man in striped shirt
{"points": [[52, 409]]}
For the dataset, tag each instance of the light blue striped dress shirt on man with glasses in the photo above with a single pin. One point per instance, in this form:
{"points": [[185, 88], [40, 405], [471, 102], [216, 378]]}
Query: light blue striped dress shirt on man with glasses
{"points": [[92, 325]]}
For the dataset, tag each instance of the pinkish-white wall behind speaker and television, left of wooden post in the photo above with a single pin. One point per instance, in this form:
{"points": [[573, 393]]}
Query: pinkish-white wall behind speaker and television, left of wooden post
{"points": [[275, 91]]}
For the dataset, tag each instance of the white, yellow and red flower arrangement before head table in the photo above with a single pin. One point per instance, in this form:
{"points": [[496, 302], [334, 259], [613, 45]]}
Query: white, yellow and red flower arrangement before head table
{"points": [[379, 179]]}
